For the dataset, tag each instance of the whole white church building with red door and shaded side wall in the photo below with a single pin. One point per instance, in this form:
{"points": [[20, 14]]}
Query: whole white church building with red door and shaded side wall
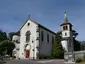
{"points": [[32, 41]]}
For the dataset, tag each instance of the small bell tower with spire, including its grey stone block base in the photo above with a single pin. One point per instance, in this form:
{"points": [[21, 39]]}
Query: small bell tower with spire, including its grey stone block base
{"points": [[67, 41]]}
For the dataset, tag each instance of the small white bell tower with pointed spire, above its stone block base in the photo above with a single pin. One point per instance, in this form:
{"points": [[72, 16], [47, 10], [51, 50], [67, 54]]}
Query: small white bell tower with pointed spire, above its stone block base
{"points": [[66, 32]]}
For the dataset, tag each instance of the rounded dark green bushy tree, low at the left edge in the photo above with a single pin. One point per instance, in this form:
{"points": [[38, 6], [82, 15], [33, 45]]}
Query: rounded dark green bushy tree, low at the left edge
{"points": [[6, 47]]}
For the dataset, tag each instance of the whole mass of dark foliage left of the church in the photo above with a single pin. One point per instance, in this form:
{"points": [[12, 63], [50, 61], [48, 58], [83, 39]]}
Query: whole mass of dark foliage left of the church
{"points": [[6, 45]]}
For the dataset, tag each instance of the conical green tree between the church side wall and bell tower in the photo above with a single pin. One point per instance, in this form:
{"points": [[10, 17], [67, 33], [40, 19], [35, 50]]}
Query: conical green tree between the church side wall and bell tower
{"points": [[57, 48]]}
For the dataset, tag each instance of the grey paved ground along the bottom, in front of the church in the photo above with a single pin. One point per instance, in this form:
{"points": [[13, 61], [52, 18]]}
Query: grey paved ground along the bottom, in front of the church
{"points": [[26, 61]]}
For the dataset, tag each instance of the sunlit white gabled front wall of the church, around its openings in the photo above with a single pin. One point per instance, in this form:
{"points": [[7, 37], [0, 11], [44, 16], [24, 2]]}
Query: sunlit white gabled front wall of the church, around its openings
{"points": [[32, 29]]}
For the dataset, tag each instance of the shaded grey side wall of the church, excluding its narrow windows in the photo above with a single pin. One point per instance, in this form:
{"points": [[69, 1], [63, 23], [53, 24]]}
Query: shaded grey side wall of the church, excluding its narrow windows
{"points": [[45, 47]]}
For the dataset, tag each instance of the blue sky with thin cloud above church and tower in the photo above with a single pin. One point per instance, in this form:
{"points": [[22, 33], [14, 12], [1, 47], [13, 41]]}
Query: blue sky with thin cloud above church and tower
{"points": [[50, 13]]}
